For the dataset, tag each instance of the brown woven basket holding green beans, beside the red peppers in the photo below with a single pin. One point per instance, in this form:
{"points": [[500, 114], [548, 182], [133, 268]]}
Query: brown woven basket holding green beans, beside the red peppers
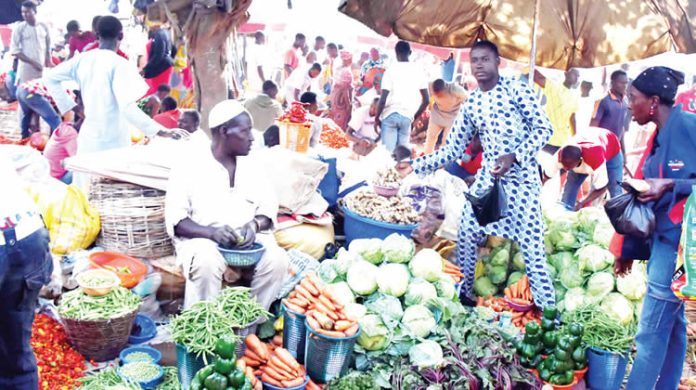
{"points": [[99, 340]]}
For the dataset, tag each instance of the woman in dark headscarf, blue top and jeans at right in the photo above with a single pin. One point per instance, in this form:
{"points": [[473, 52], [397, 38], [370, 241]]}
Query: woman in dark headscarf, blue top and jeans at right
{"points": [[669, 166]]}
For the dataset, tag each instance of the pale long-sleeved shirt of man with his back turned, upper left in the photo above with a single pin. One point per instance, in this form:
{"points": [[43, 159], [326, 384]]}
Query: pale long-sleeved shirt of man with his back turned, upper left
{"points": [[110, 87]]}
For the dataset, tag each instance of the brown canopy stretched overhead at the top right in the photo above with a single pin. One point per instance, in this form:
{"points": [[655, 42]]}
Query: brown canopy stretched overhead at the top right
{"points": [[582, 33]]}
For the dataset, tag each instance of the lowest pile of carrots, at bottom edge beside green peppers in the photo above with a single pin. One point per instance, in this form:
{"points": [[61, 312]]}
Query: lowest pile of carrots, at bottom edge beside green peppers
{"points": [[274, 364]]}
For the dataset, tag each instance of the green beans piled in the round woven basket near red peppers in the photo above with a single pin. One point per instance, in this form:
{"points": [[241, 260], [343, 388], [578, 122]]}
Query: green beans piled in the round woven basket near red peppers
{"points": [[80, 306]]}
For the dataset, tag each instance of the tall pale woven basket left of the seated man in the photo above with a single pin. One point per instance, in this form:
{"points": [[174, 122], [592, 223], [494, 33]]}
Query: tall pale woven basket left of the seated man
{"points": [[132, 219]]}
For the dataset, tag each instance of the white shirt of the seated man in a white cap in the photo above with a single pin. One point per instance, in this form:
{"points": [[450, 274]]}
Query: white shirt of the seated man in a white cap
{"points": [[199, 189]]}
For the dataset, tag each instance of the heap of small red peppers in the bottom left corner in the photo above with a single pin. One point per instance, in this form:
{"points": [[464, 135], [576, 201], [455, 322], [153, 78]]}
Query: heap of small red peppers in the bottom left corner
{"points": [[59, 365]]}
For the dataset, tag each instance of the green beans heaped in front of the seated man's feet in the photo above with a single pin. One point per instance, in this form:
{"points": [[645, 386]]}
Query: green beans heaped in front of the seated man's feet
{"points": [[200, 326]]}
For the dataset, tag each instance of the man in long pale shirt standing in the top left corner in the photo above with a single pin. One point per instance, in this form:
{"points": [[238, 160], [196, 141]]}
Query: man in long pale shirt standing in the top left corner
{"points": [[31, 44]]}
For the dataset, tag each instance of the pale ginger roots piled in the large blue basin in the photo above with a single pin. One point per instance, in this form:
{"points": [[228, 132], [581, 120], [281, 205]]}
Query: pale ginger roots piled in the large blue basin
{"points": [[395, 209]]}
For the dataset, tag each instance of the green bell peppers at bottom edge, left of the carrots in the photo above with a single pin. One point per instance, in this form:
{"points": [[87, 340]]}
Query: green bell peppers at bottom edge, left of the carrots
{"points": [[225, 373]]}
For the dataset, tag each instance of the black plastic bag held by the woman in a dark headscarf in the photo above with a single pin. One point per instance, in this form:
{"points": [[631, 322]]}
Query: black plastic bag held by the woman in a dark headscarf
{"points": [[629, 216]]}
